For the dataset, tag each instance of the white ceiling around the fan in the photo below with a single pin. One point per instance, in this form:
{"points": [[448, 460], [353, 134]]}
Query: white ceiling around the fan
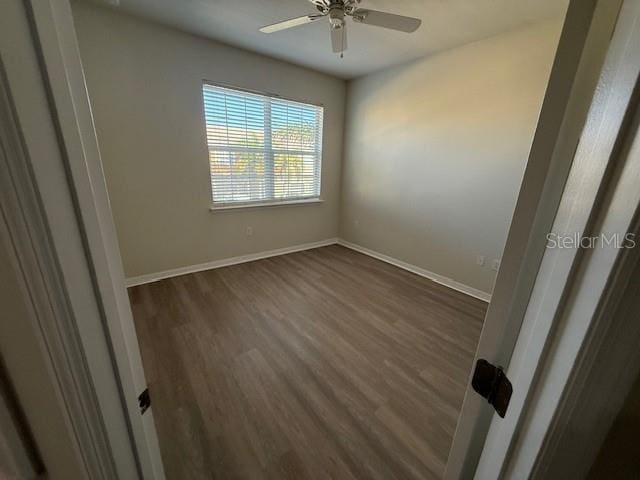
{"points": [[445, 24]]}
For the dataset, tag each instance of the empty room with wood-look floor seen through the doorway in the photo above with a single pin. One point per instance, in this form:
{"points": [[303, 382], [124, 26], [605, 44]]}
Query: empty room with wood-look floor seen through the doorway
{"points": [[311, 216]]}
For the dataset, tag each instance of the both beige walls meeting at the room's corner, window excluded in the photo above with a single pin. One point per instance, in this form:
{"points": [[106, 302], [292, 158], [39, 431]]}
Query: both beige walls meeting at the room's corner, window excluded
{"points": [[434, 150]]}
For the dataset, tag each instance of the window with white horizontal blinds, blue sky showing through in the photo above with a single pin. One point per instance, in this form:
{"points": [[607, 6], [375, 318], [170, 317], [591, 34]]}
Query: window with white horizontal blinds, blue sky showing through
{"points": [[262, 149]]}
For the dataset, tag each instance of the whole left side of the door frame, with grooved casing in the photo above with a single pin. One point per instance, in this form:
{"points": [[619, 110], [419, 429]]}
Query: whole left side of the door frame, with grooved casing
{"points": [[57, 190]]}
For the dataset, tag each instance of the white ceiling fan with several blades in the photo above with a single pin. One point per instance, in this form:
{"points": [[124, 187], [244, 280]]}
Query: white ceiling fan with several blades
{"points": [[338, 11]]}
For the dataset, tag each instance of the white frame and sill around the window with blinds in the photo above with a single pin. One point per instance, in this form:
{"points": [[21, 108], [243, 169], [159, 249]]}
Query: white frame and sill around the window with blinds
{"points": [[291, 201]]}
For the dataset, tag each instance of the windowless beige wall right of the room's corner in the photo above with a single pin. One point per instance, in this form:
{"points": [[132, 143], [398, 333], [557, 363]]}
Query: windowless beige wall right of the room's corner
{"points": [[435, 151]]}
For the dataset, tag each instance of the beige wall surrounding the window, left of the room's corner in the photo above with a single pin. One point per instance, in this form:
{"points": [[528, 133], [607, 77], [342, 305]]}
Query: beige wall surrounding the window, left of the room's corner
{"points": [[144, 81]]}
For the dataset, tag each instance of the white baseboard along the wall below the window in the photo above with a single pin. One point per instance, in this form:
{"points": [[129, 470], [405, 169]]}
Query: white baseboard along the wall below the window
{"points": [[225, 262]]}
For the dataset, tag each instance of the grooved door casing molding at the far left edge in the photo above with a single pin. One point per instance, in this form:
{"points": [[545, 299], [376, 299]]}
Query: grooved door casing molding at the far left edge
{"points": [[26, 235]]}
